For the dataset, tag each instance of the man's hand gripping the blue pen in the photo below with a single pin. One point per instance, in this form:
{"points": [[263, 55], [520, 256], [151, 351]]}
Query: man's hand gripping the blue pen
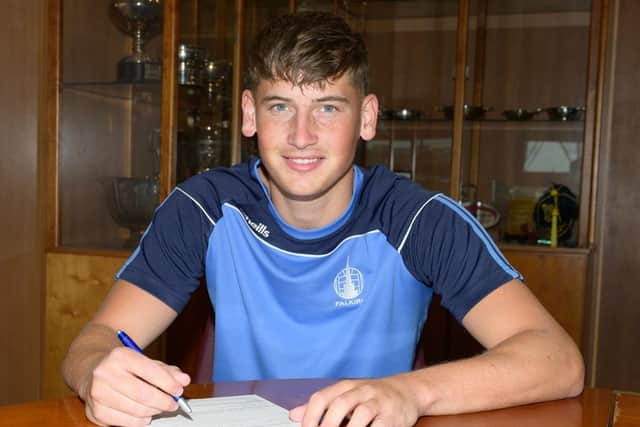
{"points": [[127, 388]]}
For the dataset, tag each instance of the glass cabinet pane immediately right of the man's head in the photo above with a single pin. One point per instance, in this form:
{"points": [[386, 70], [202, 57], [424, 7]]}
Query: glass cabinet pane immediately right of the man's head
{"points": [[412, 47]]}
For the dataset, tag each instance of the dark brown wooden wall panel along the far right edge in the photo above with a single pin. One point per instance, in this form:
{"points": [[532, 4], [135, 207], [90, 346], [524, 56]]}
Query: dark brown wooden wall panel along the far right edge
{"points": [[617, 342]]}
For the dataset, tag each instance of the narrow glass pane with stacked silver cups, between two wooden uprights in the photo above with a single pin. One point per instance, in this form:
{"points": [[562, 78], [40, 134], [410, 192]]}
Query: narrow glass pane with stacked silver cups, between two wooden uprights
{"points": [[204, 79]]}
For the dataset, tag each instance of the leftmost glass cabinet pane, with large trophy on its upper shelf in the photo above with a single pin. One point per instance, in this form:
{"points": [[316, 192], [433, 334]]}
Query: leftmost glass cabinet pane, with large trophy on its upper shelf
{"points": [[109, 121]]}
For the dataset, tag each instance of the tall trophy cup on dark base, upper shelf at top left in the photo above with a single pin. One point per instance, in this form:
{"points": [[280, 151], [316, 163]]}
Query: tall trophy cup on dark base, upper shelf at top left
{"points": [[139, 19]]}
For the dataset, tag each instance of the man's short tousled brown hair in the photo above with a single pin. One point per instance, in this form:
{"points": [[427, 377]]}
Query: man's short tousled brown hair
{"points": [[308, 48]]}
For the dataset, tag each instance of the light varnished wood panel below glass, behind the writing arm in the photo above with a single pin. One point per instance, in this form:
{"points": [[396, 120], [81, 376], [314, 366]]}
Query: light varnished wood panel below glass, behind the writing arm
{"points": [[76, 285]]}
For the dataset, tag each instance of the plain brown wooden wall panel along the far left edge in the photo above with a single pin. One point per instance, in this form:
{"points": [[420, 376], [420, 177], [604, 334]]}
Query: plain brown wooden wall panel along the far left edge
{"points": [[20, 288]]}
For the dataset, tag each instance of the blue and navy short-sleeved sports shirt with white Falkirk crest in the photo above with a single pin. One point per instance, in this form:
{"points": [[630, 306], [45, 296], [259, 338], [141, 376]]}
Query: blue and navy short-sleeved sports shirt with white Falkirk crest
{"points": [[345, 300]]}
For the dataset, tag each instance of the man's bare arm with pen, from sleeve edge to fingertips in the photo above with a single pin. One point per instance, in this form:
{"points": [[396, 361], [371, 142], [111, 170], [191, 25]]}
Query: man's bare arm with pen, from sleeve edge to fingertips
{"points": [[121, 386]]}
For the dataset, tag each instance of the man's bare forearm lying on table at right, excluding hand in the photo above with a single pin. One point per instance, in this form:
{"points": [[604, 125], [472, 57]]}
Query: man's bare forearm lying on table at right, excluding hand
{"points": [[529, 367]]}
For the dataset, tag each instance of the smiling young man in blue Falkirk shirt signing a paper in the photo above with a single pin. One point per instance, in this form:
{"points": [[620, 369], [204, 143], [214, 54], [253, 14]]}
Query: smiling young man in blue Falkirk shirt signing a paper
{"points": [[317, 268]]}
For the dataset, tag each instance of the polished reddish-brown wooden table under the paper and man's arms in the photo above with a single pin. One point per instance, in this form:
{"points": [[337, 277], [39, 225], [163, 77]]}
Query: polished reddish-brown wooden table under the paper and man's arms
{"points": [[594, 408]]}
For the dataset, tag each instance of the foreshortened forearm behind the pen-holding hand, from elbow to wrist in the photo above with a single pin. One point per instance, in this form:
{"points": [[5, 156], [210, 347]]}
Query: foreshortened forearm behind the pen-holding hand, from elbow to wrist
{"points": [[86, 351]]}
